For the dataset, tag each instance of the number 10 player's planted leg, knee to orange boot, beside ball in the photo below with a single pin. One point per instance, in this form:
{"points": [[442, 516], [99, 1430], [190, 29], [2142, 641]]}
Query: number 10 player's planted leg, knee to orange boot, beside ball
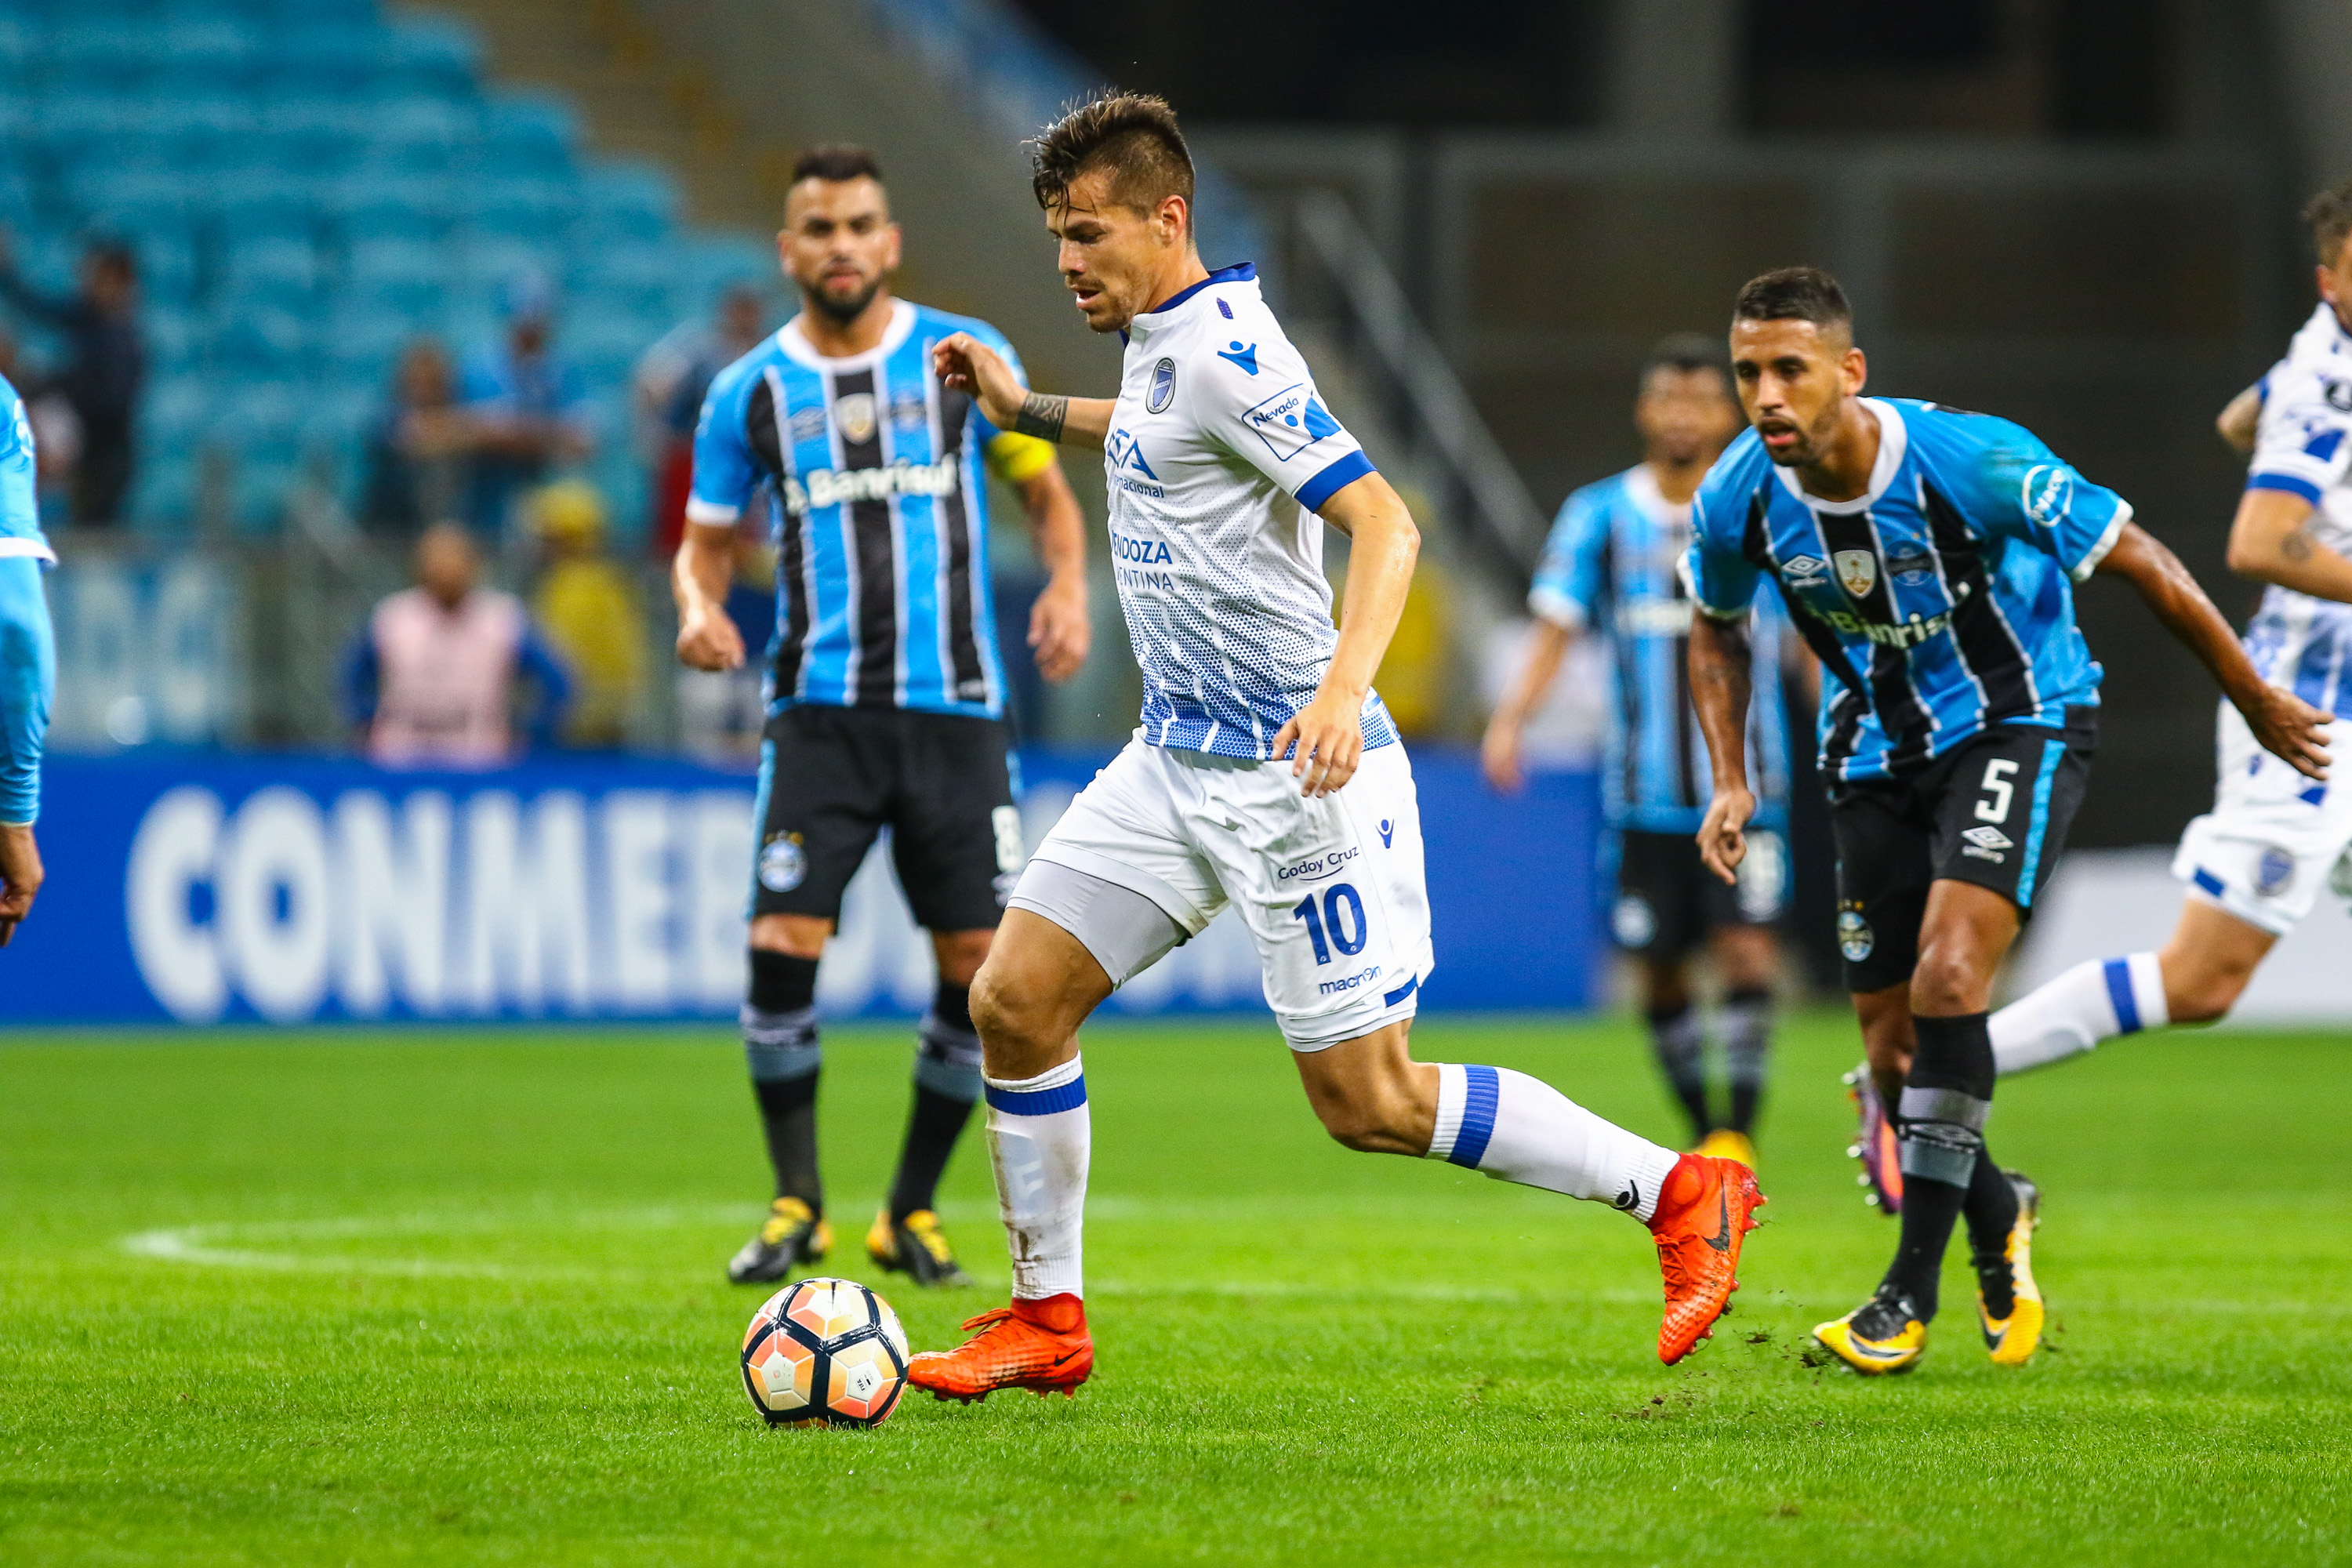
{"points": [[1029, 1000]]}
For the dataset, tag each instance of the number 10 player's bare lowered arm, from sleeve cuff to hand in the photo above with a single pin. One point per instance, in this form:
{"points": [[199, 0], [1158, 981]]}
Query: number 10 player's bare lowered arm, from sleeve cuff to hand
{"points": [[1325, 739]]}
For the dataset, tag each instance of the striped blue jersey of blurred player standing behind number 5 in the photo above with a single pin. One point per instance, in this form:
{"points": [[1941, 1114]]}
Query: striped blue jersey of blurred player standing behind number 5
{"points": [[1612, 568]]}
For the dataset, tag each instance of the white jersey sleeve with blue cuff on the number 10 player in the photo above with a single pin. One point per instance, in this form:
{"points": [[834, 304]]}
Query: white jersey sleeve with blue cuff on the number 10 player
{"points": [[1257, 401]]}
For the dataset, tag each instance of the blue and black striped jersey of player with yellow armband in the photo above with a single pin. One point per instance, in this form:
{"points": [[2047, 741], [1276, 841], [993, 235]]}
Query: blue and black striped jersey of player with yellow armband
{"points": [[881, 509]]}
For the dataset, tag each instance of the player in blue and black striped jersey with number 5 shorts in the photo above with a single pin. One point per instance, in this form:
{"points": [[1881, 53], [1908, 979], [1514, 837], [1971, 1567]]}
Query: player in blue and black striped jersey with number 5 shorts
{"points": [[1930, 558]]}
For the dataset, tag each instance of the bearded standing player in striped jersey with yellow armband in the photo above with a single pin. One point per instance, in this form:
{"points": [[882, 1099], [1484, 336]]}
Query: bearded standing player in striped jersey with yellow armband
{"points": [[886, 697]]}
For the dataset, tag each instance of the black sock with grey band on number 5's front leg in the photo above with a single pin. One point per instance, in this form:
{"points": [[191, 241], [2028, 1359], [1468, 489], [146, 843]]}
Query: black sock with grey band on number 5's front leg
{"points": [[1944, 1137]]}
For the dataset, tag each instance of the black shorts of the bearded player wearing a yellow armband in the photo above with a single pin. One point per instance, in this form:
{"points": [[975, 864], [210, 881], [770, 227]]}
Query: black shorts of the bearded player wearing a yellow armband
{"points": [[834, 777]]}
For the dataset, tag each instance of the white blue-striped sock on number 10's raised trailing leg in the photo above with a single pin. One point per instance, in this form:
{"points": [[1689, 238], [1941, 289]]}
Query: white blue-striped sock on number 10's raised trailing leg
{"points": [[1521, 1130]]}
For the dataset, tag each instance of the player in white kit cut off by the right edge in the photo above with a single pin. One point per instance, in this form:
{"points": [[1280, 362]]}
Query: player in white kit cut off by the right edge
{"points": [[2257, 864]]}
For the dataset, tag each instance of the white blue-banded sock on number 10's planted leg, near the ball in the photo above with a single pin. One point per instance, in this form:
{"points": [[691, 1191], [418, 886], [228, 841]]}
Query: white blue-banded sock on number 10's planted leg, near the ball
{"points": [[1038, 1139]]}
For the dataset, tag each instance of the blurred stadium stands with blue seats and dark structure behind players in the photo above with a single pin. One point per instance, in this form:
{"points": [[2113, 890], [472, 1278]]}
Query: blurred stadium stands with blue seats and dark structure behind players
{"points": [[2076, 213]]}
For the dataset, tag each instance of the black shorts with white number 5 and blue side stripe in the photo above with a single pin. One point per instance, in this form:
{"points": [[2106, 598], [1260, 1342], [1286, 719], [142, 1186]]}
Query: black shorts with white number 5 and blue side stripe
{"points": [[1991, 812]]}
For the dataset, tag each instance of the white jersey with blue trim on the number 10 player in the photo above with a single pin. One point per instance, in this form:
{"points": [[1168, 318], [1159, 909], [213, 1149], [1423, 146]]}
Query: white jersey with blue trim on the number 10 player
{"points": [[1217, 457]]}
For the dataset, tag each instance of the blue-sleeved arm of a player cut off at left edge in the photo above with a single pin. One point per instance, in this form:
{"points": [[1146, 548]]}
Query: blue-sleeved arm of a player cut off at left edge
{"points": [[27, 664]]}
